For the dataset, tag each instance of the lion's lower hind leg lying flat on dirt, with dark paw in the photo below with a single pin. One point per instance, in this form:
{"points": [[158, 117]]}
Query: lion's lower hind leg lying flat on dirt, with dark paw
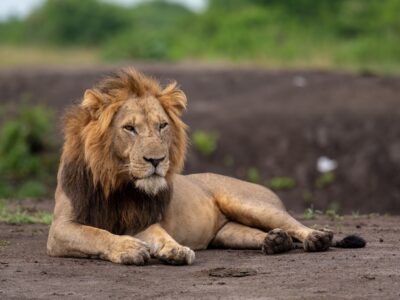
{"points": [[237, 236]]}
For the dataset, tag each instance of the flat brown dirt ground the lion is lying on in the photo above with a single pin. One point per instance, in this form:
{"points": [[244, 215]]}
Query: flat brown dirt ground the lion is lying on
{"points": [[26, 272]]}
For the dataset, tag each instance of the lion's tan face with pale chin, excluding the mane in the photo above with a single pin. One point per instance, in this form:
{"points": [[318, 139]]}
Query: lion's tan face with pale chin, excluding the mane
{"points": [[141, 140]]}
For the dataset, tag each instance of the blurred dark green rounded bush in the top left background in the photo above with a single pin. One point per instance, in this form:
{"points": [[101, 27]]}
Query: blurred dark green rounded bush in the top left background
{"points": [[71, 22]]}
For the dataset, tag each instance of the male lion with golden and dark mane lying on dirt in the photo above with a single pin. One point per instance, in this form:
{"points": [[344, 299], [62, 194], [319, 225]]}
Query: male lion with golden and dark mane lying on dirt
{"points": [[120, 198]]}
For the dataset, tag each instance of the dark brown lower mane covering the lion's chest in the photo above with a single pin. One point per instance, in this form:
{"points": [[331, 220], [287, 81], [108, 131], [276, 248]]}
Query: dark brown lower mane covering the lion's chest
{"points": [[125, 210]]}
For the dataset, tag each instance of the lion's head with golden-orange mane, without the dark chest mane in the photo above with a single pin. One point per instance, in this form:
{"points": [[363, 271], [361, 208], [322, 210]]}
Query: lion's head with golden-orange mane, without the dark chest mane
{"points": [[128, 129]]}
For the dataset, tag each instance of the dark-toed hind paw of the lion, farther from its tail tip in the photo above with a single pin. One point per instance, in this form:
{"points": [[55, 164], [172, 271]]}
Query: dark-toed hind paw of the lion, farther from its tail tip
{"points": [[277, 241]]}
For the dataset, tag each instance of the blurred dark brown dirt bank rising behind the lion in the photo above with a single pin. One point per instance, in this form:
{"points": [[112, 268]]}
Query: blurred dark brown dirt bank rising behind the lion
{"points": [[279, 122]]}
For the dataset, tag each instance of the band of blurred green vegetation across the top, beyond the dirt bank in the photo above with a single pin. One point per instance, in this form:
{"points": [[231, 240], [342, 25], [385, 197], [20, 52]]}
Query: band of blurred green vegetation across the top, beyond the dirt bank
{"points": [[362, 34]]}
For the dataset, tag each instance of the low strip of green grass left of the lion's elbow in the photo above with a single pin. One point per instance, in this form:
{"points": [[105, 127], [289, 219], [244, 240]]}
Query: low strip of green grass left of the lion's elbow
{"points": [[18, 216]]}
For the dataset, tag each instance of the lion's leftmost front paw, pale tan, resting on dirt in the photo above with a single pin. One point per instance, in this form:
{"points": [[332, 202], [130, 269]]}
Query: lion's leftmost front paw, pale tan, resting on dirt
{"points": [[128, 251]]}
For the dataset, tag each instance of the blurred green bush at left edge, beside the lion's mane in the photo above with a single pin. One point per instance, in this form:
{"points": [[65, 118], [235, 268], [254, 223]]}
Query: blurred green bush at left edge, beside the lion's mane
{"points": [[28, 159]]}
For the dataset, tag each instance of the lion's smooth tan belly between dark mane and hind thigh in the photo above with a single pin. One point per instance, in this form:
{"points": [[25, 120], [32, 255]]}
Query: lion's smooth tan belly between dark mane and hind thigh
{"points": [[192, 218]]}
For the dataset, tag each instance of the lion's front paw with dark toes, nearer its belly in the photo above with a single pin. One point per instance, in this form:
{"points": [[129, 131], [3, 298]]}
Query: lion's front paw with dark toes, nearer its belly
{"points": [[176, 255]]}
